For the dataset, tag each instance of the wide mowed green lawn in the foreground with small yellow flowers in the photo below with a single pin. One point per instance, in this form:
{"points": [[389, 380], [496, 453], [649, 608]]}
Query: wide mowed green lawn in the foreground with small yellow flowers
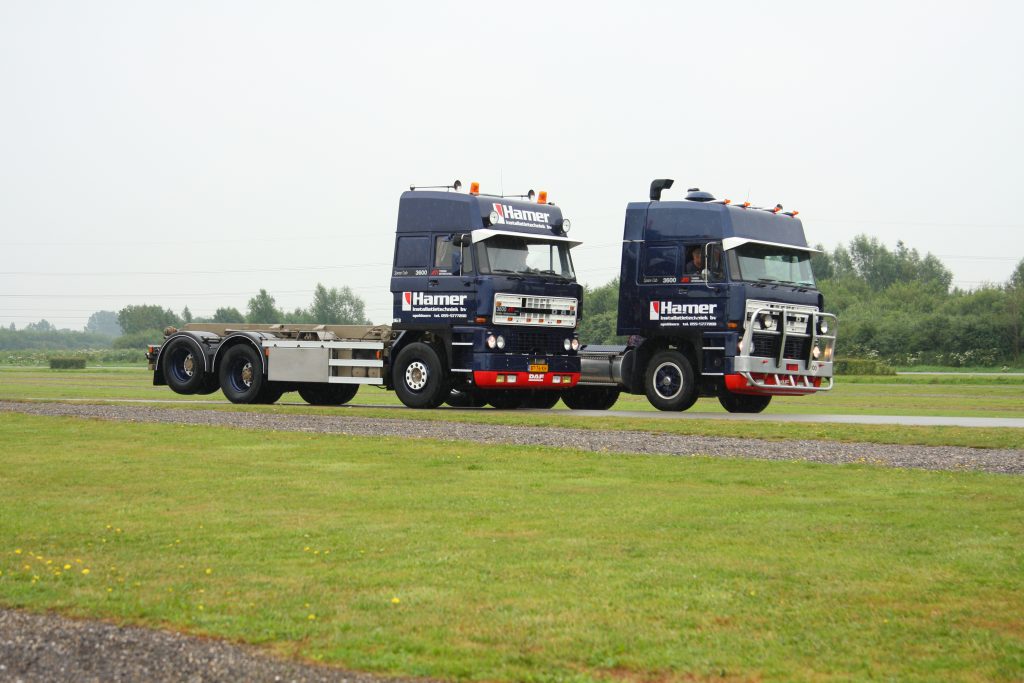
{"points": [[457, 561]]}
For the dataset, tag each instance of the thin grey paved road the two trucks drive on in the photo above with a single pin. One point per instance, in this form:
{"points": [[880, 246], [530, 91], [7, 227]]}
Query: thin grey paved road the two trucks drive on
{"points": [[910, 420]]}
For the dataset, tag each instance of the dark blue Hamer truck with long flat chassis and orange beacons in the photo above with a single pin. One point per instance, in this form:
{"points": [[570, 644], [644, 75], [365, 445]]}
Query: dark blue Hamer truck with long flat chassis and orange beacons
{"points": [[486, 308]]}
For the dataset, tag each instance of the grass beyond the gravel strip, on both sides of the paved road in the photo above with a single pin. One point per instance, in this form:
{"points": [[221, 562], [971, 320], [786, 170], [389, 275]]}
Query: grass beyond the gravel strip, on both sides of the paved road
{"points": [[974, 397]]}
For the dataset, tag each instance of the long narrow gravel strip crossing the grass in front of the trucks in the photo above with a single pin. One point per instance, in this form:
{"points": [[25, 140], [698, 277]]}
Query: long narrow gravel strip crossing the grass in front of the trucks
{"points": [[1005, 461]]}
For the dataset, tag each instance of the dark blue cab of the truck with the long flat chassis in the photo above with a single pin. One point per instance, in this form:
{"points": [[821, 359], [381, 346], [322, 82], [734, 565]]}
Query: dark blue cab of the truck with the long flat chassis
{"points": [[486, 296]]}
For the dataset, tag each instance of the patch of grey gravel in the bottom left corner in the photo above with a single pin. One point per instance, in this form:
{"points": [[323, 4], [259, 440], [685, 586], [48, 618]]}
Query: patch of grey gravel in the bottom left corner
{"points": [[48, 648]]}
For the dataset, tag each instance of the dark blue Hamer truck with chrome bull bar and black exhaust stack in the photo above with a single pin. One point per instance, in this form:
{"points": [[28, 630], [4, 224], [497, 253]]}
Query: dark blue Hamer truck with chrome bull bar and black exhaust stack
{"points": [[716, 301]]}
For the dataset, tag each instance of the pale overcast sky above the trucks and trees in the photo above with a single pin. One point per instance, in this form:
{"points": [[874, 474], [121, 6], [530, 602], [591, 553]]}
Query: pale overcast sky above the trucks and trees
{"points": [[189, 154]]}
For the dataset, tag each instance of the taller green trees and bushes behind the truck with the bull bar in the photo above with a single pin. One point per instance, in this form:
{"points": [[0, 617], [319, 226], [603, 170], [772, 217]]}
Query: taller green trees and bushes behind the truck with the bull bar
{"points": [[892, 305]]}
